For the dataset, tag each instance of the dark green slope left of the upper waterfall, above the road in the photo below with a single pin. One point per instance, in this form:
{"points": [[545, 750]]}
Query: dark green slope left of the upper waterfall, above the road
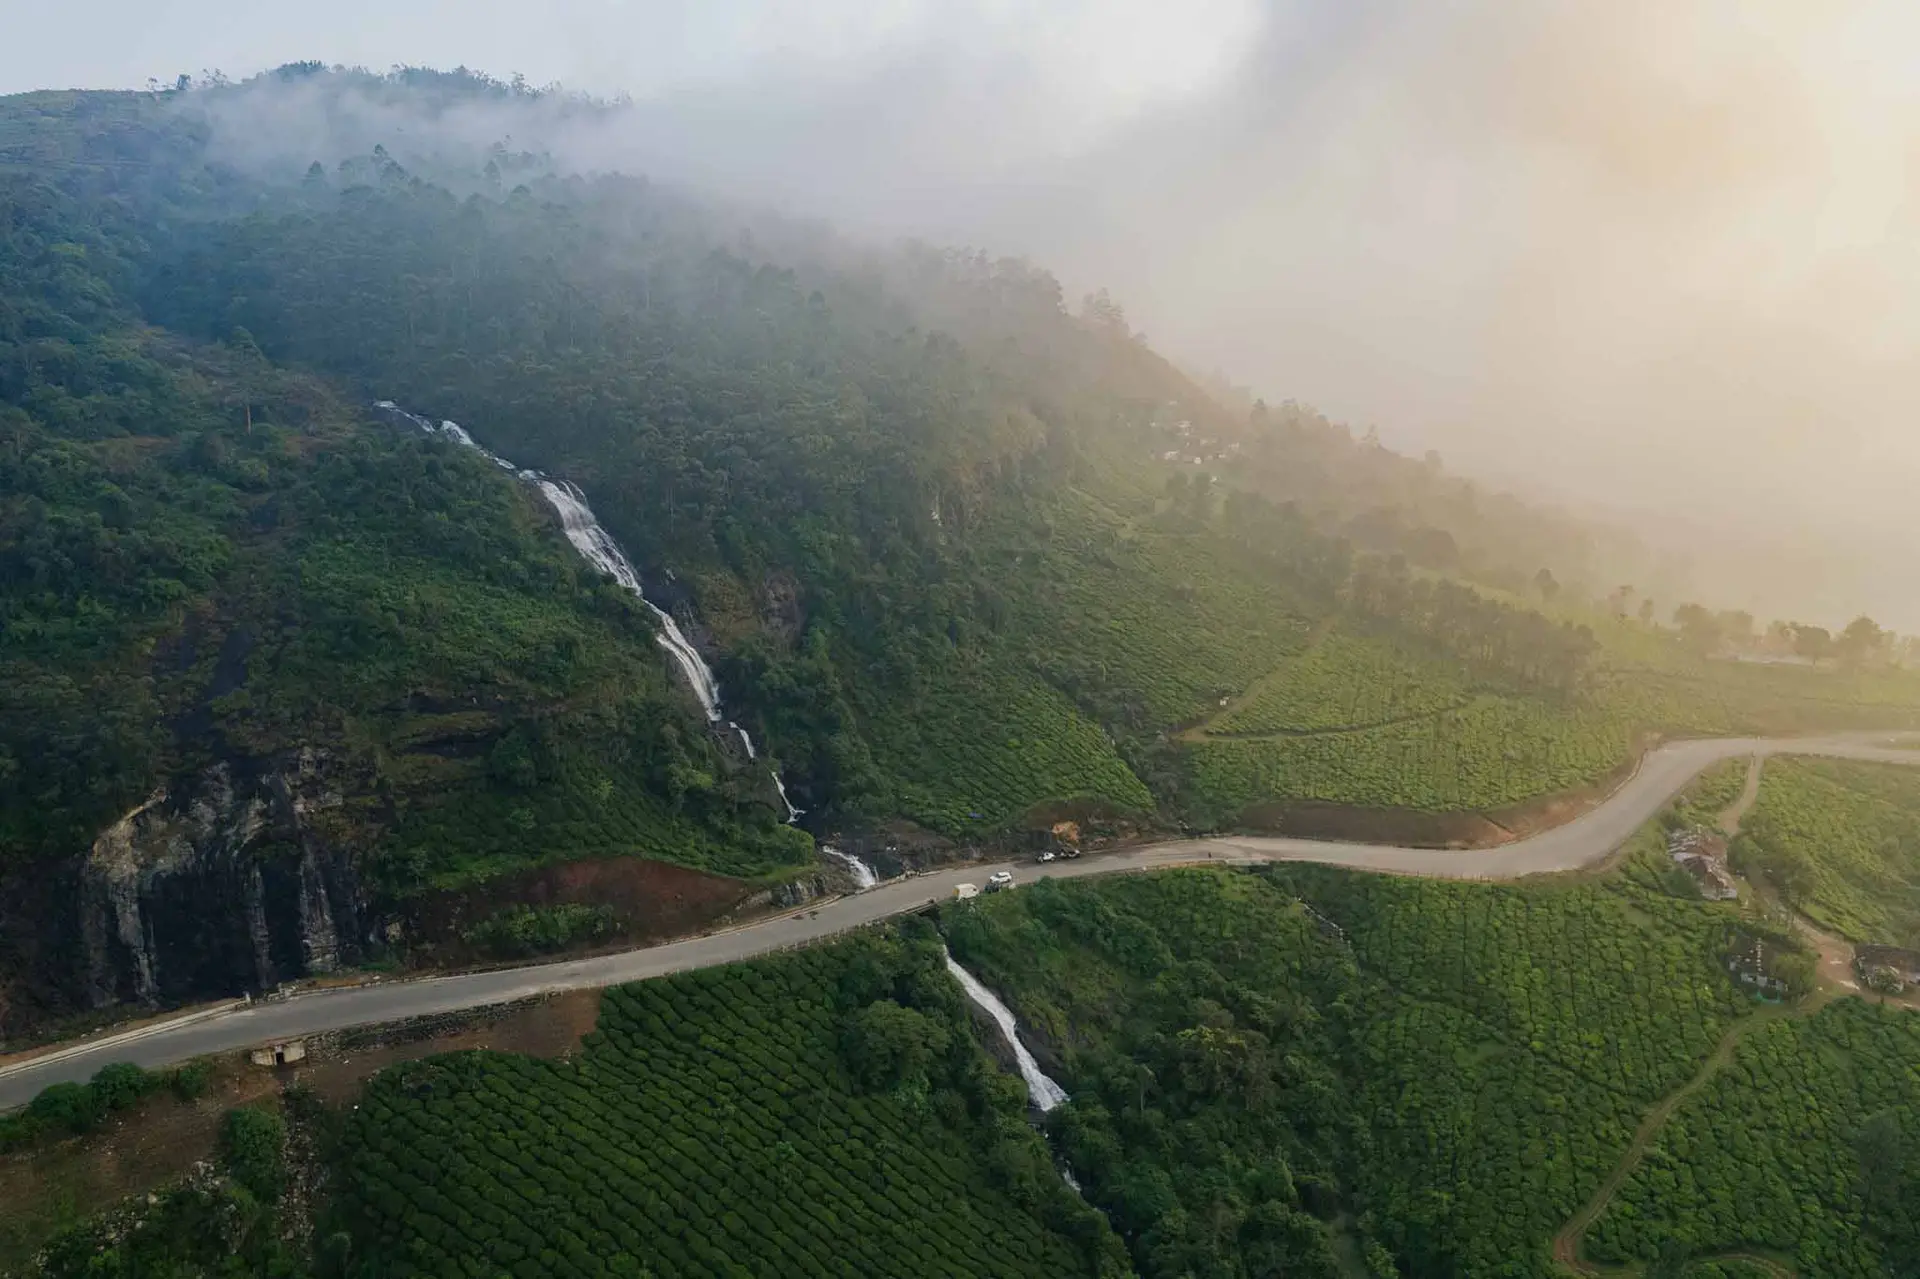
{"points": [[310, 660]]}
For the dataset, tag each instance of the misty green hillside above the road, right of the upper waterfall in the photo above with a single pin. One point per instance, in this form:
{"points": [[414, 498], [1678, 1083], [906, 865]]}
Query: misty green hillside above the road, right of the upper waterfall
{"points": [[961, 477]]}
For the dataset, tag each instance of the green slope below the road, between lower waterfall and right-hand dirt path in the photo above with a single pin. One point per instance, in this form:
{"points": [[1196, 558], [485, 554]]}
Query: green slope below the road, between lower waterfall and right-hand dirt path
{"points": [[1447, 1071]]}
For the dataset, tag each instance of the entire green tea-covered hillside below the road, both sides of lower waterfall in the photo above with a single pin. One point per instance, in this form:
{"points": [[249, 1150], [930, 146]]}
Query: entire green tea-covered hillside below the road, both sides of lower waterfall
{"points": [[1289, 1071]]}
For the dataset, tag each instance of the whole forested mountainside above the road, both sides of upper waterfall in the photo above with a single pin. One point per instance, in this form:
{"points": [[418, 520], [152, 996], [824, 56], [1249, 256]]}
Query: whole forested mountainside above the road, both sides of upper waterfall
{"points": [[961, 552]]}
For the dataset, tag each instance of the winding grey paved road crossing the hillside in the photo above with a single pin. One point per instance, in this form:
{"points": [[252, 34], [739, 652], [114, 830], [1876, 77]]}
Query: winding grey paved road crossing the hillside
{"points": [[1583, 842]]}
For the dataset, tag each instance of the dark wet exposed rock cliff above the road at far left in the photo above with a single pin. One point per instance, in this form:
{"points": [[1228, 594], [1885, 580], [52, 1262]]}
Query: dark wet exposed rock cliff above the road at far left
{"points": [[220, 884]]}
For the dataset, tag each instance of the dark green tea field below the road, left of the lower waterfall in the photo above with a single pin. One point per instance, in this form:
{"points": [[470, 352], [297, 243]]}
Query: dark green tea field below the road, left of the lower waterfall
{"points": [[821, 1115]]}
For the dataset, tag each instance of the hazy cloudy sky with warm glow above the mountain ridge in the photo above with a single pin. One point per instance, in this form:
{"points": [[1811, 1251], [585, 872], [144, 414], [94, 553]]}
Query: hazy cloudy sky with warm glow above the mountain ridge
{"points": [[1666, 253]]}
